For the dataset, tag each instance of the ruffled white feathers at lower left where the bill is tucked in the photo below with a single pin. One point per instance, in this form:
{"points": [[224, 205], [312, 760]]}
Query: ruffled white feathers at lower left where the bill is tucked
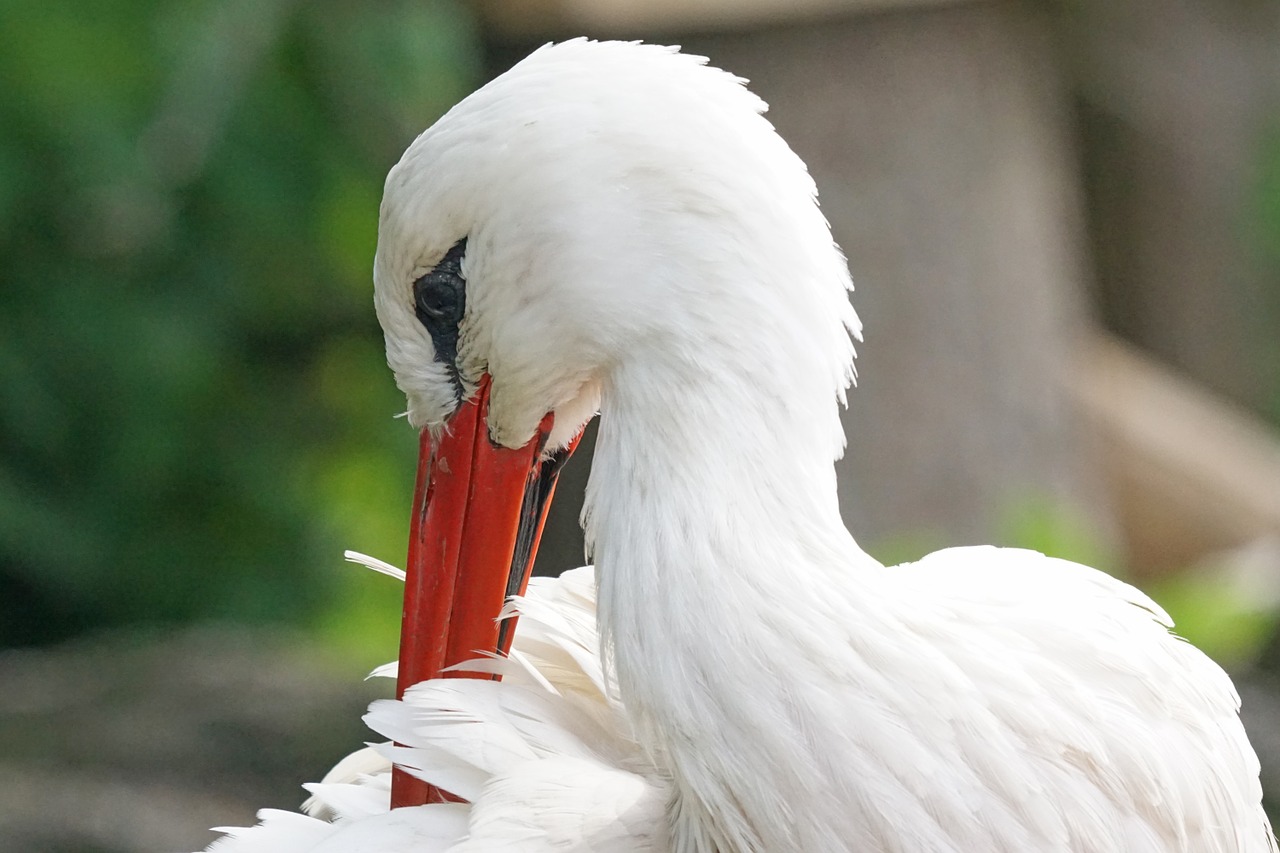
{"points": [[542, 758]]}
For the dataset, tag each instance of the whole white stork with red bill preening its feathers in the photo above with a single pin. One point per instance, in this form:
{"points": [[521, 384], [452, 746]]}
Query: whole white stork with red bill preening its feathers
{"points": [[616, 229]]}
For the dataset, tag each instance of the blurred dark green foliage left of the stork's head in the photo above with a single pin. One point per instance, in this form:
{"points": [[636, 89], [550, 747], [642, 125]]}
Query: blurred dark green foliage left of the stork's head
{"points": [[195, 412]]}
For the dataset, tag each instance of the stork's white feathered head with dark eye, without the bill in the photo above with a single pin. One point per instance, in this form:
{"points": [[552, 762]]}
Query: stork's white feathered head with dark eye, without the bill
{"points": [[565, 215]]}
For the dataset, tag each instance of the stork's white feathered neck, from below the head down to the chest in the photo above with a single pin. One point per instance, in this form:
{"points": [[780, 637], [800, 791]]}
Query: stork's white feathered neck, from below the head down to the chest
{"points": [[714, 521]]}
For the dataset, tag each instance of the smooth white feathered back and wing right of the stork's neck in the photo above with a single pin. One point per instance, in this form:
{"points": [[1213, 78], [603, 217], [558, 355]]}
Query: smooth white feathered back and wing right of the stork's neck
{"points": [[1126, 735]]}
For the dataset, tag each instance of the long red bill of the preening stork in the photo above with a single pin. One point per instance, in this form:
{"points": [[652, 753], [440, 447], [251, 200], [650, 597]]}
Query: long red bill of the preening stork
{"points": [[478, 516]]}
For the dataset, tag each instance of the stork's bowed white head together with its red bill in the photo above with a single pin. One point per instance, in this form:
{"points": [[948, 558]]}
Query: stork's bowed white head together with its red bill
{"points": [[600, 203]]}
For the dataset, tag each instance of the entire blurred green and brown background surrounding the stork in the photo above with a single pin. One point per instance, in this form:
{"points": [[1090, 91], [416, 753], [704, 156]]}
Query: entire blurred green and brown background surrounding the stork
{"points": [[1063, 221]]}
